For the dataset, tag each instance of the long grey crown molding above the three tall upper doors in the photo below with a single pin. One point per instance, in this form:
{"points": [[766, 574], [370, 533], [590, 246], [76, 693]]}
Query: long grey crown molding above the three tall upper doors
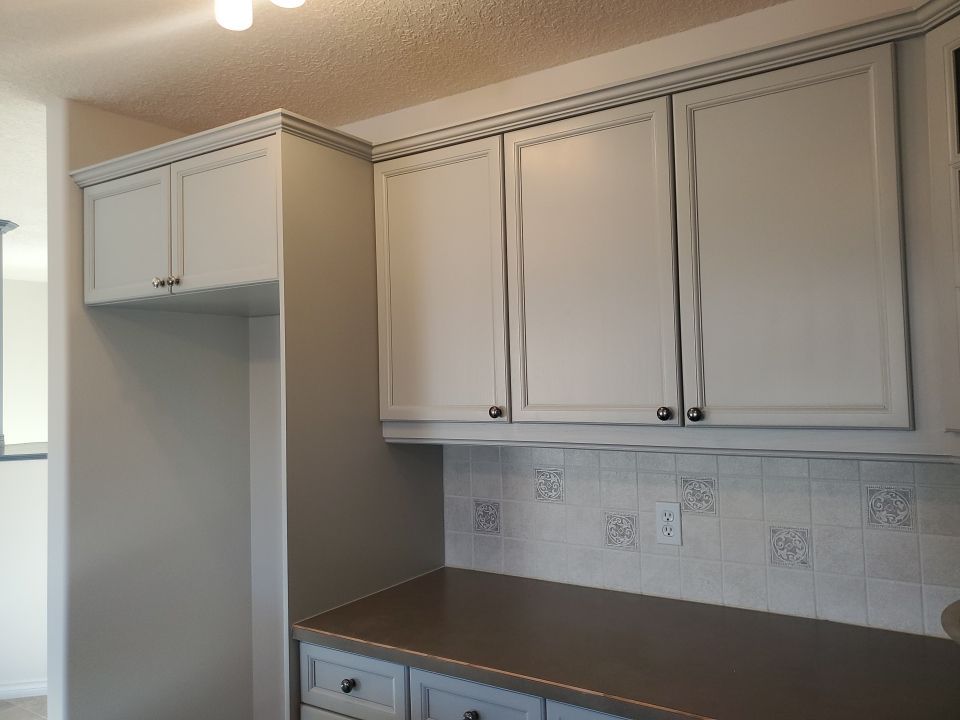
{"points": [[920, 20]]}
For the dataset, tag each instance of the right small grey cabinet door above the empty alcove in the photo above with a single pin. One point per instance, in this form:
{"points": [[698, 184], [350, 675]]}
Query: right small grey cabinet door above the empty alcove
{"points": [[226, 216]]}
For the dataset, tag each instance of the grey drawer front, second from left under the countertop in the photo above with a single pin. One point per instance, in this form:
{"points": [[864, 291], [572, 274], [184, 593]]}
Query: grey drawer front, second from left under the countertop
{"points": [[438, 697]]}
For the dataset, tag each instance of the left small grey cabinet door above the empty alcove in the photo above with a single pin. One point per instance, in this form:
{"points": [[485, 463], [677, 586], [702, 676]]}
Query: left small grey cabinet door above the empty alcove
{"points": [[126, 237]]}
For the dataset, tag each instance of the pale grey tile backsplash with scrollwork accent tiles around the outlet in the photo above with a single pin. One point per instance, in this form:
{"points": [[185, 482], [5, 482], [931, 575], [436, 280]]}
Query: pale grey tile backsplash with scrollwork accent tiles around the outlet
{"points": [[869, 543]]}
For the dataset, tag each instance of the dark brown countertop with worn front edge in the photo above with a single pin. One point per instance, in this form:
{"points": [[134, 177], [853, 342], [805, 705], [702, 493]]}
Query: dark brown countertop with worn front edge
{"points": [[645, 657]]}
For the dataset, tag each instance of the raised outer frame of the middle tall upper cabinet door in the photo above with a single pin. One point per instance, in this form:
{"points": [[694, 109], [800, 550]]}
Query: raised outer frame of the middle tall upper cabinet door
{"points": [[657, 114]]}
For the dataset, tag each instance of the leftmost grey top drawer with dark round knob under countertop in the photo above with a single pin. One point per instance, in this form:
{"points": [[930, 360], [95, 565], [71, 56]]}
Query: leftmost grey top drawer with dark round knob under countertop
{"points": [[379, 688]]}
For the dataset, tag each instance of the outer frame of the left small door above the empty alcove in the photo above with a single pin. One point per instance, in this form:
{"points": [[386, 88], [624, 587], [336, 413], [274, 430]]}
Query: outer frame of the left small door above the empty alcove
{"points": [[141, 287]]}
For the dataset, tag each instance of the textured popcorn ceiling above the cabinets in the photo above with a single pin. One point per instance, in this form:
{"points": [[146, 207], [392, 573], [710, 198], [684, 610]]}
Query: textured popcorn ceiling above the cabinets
{"points": [[333, 60]]}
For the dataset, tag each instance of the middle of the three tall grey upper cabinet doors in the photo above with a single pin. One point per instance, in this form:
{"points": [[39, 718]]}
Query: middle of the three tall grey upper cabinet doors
{"points": [[592, 281]]}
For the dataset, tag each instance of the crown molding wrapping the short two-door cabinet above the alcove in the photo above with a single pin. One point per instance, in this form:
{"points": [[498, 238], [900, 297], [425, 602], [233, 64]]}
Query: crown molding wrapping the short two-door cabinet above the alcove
{"points": [[252, 128]]}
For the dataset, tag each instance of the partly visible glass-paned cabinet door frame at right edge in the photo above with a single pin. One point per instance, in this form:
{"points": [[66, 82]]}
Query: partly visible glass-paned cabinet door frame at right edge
{"points": [[942, 46]]}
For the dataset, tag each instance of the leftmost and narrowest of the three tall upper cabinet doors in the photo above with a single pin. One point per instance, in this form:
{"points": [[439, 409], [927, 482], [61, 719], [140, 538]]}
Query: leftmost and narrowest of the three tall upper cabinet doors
{"points": [[441, 275]]}
